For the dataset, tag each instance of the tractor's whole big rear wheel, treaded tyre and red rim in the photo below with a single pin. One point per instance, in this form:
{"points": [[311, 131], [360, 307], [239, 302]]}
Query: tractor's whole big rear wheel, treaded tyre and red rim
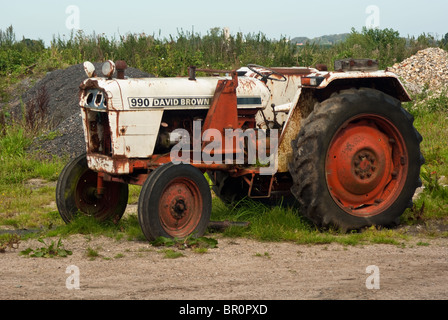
{"points": [[356, 161]]}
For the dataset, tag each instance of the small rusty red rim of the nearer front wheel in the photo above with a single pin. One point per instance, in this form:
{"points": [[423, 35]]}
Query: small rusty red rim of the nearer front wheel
{"points": [[180, 207]]}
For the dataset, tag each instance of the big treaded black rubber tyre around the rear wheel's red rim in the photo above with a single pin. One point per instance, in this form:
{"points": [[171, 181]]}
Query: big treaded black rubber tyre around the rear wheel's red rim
{"points": [[308, 164]]}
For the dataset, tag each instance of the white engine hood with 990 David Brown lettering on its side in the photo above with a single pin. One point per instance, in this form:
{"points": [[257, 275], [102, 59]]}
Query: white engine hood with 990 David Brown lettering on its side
{"points": [[167, 93]]}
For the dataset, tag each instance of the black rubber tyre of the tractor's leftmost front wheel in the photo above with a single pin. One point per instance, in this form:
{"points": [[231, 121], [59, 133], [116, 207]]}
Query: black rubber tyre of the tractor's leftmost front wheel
{"points": [[113, 202]]}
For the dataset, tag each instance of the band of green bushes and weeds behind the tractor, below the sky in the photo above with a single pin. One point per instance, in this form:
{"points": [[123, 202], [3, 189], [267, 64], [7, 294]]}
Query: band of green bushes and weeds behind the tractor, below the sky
{"points": [[173, 55]]}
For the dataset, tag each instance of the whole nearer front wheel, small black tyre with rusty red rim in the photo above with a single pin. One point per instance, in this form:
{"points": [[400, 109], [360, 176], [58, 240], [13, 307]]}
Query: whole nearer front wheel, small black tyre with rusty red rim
{"points": [[175, 202]]}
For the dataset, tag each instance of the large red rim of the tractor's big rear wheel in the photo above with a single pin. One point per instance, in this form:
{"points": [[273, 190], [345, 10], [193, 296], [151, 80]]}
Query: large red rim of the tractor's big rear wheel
{"points": [[366, 165]]}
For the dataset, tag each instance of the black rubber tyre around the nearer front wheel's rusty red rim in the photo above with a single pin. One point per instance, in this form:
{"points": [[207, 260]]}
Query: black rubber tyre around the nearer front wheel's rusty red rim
{"points": [[152, 191]]}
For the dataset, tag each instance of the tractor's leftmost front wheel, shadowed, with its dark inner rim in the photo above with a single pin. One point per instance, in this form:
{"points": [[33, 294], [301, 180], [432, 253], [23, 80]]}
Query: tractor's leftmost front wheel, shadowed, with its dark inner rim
{"points": [[76, 192]]}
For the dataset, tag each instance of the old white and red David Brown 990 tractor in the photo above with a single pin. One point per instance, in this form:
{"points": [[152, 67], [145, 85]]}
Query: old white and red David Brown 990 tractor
{"points": [[336, 144]]}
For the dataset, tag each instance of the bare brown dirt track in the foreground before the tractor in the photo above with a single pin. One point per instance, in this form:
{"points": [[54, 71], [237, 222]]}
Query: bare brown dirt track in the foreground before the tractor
{"points": [[238, 269]]}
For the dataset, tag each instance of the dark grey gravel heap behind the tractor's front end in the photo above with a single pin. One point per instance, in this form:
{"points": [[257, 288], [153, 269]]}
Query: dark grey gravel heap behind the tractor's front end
{"points": [[62, 86]]}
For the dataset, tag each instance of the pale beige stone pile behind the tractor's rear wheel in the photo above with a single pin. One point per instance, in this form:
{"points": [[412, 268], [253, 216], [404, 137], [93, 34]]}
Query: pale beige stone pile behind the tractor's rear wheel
{"points": [[427, 68]]}
